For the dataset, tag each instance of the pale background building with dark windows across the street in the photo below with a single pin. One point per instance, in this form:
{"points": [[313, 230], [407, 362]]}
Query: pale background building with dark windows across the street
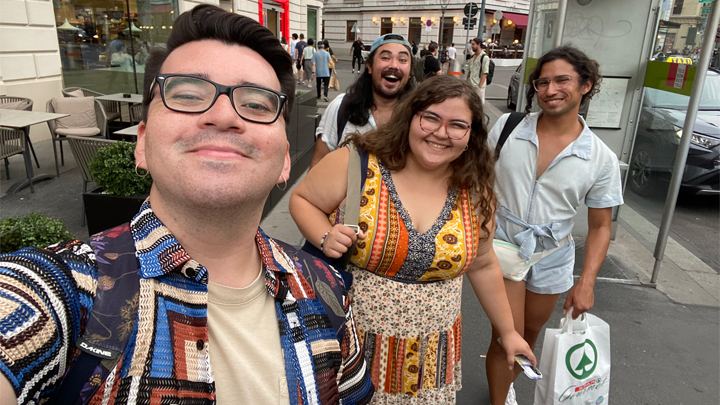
{"points": [[422, 21]]}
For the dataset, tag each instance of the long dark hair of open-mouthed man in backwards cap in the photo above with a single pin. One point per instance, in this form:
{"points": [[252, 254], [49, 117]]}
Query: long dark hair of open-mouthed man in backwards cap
{"points": [[359, 95]]}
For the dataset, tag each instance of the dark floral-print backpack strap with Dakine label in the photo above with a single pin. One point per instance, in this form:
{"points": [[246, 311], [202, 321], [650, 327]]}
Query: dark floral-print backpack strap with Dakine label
{"points": [[112, 318]]}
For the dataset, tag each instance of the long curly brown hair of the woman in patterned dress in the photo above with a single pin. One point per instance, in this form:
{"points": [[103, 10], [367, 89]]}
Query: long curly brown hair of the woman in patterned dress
{"points": [[474, 170]]}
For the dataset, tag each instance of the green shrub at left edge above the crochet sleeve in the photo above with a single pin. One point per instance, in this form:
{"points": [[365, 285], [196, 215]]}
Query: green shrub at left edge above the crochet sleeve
{"points": [[33, 230]]}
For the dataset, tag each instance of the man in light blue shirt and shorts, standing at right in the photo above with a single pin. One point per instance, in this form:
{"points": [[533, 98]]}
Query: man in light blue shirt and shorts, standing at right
{"points": [[549, 165]]}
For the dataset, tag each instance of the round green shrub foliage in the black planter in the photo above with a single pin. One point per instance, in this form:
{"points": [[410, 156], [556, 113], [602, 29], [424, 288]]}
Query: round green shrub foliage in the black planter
{"points": [[113, 169]]}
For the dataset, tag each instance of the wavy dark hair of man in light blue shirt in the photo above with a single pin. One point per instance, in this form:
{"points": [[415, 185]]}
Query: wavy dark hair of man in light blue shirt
{"points": [[588, 70]]}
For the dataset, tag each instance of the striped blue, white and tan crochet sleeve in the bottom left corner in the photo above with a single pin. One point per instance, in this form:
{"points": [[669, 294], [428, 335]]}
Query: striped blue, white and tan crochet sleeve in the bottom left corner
{"points": [[45, 297]]}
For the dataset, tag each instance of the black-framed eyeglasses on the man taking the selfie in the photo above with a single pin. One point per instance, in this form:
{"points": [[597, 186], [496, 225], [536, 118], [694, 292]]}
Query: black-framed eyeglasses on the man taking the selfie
{"points": [[194, 94]]}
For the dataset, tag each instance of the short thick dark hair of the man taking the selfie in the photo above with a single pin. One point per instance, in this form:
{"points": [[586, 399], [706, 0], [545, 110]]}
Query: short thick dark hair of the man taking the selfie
{"points": [[205, 22]]}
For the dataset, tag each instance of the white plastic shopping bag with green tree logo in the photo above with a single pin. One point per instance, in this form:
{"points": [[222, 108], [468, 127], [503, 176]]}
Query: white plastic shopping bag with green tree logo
{"points": [[575, 362]]}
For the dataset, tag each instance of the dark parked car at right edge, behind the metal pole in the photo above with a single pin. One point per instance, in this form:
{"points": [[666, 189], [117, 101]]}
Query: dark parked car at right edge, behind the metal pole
{"points": [[658, 136]]}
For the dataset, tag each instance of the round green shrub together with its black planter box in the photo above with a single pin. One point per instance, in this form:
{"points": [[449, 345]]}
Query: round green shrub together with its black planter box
{"points": [[120, 191]]}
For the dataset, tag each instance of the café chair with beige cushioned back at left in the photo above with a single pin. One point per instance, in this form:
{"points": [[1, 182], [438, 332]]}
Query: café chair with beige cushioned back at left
{"points": [[87, 119]]}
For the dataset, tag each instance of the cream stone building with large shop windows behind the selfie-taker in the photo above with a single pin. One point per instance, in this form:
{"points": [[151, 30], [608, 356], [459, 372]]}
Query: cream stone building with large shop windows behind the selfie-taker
{"points": [[101, 45]]}
